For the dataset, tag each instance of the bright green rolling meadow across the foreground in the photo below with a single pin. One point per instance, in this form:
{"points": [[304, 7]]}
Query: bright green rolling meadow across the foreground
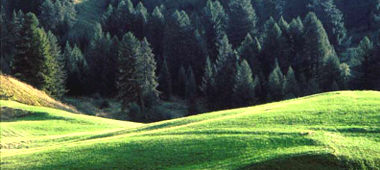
{"points": [[337, 130]]}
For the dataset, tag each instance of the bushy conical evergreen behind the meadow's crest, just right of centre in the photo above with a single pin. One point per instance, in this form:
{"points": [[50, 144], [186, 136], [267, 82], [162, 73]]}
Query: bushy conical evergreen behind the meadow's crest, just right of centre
{"points": [[244, 88]]}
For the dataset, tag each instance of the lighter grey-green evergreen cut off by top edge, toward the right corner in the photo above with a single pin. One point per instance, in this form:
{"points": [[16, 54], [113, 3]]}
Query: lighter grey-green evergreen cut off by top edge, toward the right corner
{"points": [[332, 19]]}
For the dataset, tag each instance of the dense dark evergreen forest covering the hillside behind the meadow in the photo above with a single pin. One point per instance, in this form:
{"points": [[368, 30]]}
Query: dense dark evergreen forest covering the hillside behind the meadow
{"points": [[212, 54]]}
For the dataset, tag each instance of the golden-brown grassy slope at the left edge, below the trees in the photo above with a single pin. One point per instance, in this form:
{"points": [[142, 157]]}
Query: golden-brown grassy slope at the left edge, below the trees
{"points": [[15, 90]]}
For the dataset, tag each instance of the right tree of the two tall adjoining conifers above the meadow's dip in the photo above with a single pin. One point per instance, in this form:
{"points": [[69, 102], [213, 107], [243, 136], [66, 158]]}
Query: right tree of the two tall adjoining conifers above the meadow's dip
{"points": [[145, 73]]}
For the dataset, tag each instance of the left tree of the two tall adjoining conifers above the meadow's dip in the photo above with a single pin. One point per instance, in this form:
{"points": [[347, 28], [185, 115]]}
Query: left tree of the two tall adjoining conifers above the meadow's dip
{"points": [[128, 88]]}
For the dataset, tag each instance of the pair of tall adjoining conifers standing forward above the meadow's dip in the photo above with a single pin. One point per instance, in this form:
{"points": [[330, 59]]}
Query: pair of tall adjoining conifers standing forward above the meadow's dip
{"points": [[136, 81]]}
